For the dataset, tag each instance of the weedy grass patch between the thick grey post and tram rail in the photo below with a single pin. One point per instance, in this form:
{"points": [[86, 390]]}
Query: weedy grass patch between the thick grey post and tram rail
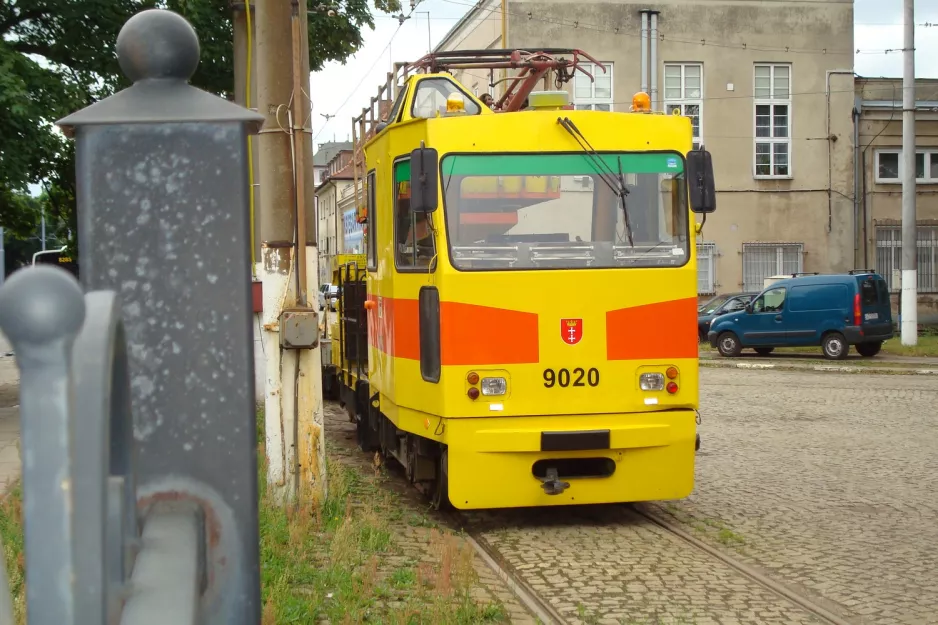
{"points": [[326, 563]]}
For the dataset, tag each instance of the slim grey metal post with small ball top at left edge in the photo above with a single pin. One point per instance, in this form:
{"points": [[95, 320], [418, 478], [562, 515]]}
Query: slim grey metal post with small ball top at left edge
{"points": [[41, 318]]}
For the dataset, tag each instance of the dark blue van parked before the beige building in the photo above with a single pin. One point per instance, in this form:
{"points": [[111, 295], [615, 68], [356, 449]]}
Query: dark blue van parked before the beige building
{"points": [[832, 311]]}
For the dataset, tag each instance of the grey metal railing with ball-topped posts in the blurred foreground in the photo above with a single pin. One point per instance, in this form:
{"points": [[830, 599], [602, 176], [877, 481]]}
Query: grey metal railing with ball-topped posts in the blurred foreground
{"points": [[137, 405]]}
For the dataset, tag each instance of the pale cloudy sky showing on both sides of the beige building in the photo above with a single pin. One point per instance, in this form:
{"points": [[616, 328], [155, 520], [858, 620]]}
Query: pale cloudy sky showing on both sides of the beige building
{"points": [[342, 90]]}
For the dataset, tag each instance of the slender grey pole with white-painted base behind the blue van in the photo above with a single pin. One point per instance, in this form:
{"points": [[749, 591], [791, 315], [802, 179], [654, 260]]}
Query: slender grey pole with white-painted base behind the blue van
{"points": [[909, 301]]}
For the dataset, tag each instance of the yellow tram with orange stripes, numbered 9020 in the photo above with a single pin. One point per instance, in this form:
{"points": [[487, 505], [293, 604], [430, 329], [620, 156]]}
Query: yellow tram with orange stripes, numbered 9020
{"points": [[522, 328]]}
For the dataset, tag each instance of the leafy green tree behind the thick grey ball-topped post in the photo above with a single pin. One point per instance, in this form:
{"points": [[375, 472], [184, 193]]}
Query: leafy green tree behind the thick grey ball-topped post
{"points": [[57, 56]]}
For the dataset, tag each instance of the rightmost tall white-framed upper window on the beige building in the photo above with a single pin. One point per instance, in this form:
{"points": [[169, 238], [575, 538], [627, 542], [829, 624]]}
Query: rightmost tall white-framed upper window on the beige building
{"points": [[772, 96]]}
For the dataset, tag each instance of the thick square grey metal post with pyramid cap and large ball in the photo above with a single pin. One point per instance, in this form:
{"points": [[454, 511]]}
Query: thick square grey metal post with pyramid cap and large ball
{"points": [[161, 173]]}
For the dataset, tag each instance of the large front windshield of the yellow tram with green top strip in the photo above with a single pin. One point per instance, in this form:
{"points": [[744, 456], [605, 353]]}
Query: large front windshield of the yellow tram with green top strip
{"points": [[564, 211]]}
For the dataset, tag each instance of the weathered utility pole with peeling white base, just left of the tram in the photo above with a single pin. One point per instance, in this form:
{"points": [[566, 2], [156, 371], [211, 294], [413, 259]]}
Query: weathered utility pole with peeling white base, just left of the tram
{"points": [[293, 390]]}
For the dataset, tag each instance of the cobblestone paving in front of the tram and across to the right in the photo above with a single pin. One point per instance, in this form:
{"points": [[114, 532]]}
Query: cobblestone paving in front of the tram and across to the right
{"points": [[822, 481]]}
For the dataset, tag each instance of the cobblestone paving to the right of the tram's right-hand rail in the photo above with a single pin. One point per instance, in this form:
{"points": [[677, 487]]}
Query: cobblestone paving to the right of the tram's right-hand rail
{"points": [[825, 481]]}
